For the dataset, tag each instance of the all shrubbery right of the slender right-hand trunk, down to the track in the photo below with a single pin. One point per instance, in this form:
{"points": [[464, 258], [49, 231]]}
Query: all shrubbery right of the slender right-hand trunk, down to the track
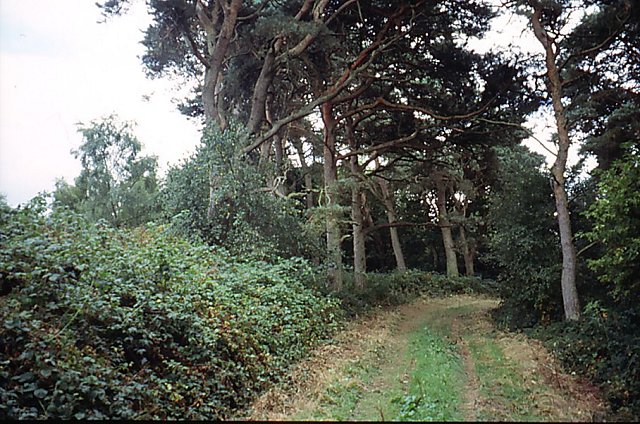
{"points": [[604, 345]]}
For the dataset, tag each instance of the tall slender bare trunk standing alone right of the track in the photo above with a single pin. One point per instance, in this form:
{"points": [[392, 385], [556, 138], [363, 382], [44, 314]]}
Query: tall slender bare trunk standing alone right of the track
{"points": [[568, 279]]}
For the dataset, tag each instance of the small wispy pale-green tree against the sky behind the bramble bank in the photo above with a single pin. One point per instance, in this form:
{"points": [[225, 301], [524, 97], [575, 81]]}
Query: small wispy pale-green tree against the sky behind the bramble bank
{"points": [[115, 183]]}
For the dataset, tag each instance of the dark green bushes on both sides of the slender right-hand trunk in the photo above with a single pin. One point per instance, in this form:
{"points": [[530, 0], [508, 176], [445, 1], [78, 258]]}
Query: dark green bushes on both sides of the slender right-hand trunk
{"points": [[604, 345]]}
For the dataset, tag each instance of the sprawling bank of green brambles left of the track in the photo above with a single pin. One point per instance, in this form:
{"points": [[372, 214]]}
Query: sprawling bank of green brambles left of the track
{"points": [[141, 324]]}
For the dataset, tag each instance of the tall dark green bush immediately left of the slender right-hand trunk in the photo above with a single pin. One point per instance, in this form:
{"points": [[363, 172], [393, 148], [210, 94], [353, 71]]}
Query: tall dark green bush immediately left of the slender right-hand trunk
{"points": [[523, 242]]}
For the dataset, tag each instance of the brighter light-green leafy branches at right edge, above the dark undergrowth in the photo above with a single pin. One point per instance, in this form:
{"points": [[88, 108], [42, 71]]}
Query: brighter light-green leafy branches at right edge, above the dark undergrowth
{"points": [[616, 226]]}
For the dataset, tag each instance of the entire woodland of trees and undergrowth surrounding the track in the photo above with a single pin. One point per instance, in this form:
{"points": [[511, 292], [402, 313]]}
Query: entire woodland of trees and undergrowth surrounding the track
{"points": [[355, 155]]}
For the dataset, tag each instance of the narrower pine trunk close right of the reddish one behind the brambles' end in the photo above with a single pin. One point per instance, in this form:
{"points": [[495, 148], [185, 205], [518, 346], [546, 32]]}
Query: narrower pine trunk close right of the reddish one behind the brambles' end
{"points": [[359, 253]]}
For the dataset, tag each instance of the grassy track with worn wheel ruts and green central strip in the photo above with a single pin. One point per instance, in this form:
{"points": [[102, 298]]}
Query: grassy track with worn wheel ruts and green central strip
{"points": [[431, 360]]}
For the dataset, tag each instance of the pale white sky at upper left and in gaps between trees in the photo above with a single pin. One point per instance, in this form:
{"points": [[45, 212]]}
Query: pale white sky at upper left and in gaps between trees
{"points": [[58, 67]]}
